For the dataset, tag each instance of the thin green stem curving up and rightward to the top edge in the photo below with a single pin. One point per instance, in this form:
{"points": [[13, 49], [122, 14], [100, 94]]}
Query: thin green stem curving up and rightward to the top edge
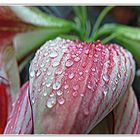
{"points": [[99, 20]]}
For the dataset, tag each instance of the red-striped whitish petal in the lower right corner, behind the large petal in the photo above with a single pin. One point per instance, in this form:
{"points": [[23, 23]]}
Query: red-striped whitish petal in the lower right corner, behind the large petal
{"points": [[126, 115]]}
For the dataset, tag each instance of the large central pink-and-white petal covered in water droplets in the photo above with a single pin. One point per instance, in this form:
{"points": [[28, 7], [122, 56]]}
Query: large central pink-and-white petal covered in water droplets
{"points": [[101, 78]]}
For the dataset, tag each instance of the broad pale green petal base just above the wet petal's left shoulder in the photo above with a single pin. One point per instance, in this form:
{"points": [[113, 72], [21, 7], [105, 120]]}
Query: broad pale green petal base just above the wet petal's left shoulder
{"points": [[26, 43]]}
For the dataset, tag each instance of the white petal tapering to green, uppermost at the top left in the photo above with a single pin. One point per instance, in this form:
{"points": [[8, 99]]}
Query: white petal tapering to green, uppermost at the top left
{"points": [[36, 17]]}
